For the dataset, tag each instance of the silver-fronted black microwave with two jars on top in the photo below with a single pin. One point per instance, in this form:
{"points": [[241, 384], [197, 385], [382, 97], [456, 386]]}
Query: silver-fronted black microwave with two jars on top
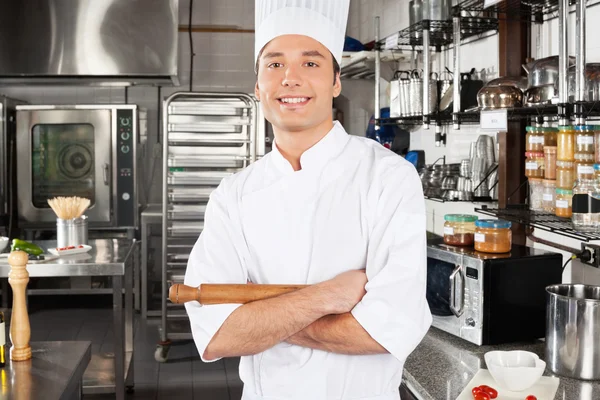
{"points": [[490, 299]]}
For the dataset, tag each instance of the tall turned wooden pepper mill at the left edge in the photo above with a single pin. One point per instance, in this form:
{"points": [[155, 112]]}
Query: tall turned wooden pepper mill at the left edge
{"points": [[20, 330]]}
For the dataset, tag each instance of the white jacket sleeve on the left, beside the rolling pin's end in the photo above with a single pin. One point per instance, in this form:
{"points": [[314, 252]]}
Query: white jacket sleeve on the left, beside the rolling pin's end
{"points": [[217, 257]]}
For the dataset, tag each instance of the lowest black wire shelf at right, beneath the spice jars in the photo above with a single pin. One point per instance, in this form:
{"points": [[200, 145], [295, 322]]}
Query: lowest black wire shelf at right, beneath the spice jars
{"points": [[541, 220]]}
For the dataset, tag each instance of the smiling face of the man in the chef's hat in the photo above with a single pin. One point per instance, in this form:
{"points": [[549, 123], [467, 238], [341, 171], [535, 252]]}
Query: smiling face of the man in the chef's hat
{"points": [[294, 83]]}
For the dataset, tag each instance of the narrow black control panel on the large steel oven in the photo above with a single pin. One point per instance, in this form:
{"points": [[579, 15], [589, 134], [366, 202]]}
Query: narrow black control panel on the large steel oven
{"points": [[125, 168]]}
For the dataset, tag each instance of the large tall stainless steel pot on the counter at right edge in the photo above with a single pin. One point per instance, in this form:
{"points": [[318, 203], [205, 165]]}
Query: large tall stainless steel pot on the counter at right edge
{"points": [[573, 330]]}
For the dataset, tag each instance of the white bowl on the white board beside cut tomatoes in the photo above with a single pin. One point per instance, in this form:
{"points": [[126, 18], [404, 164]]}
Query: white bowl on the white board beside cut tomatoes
{"points": [[515, 370]]}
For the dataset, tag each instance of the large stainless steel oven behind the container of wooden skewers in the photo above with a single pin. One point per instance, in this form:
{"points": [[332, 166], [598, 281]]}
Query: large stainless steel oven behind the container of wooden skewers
{"points": [[77, 150]]}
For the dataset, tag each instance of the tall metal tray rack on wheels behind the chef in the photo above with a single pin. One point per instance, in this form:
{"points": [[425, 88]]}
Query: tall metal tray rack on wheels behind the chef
{"points": [[207, 137]]}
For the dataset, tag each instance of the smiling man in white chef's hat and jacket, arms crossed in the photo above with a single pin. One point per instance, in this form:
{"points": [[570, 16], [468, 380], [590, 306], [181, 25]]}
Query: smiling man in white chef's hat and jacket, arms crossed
{"points": [[340, 213]]}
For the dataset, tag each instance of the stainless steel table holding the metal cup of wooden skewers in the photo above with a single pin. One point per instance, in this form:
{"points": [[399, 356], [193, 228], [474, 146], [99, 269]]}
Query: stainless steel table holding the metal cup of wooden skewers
{"points": [[107, 373]]}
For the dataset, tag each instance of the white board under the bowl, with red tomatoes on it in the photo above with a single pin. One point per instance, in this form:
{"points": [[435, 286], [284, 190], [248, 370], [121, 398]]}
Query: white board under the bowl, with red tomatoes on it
{"points": [[545, 388]]}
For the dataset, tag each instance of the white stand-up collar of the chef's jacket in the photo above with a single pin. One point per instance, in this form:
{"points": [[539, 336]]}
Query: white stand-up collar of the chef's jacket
{"points": [[318, 155]]}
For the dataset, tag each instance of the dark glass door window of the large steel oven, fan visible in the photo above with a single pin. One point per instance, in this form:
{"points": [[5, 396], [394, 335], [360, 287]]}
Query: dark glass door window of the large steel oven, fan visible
{"points": [[62, 157]]}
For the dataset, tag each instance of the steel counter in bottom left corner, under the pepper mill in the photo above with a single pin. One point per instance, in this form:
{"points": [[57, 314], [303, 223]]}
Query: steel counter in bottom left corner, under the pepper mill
{"points": [[55, 371]]}
